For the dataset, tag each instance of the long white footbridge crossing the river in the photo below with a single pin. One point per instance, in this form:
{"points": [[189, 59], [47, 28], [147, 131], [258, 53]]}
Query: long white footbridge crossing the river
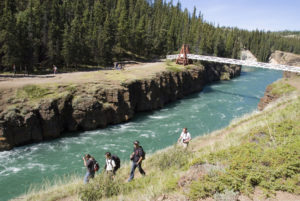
{"points": [[281, 67]]}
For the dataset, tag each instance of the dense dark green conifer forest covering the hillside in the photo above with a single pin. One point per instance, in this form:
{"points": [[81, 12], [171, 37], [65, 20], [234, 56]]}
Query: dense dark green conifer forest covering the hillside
{"points": [[70, 33]]}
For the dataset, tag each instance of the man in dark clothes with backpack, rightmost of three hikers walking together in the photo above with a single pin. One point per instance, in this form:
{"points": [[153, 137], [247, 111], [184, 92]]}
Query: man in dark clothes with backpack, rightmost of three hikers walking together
{"points": [[137, 157]]}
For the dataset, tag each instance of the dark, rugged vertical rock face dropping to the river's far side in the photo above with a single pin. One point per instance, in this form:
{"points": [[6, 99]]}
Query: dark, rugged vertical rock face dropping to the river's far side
{"points": [[100, 107]]}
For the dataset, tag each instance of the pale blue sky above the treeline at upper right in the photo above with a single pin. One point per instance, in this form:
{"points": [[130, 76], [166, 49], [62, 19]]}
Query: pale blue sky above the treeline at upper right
{"points": [[273, 15]]}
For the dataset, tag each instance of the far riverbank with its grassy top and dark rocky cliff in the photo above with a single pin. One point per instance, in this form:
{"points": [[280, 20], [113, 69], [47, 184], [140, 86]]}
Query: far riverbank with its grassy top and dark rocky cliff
{"points": [[37, 110]]}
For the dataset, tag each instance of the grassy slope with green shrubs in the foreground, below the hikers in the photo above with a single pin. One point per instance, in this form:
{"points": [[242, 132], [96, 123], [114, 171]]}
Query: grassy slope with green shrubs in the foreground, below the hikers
{"points": [[255, 157]]}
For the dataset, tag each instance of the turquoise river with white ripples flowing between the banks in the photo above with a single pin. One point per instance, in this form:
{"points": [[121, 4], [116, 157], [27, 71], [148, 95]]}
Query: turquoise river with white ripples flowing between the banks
{"points": [[201, 113]]}
